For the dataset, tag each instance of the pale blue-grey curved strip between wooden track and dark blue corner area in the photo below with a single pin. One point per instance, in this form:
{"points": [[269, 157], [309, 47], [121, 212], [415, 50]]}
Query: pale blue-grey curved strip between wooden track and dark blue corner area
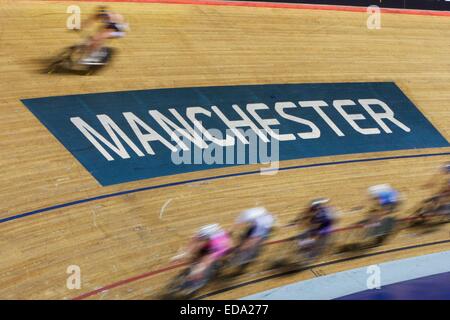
{"points": [[348, 282]]}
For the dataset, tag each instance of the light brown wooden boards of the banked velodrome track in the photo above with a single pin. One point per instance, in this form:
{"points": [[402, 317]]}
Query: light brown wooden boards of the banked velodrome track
{"points": [[119, 241]]}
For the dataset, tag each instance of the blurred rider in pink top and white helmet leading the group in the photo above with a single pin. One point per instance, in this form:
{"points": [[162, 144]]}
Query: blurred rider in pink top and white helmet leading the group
{"points": [[210, 244]]}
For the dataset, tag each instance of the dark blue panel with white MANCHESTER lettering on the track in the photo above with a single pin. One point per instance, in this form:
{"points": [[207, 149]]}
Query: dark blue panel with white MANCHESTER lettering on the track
{"points": [[127, 136]]}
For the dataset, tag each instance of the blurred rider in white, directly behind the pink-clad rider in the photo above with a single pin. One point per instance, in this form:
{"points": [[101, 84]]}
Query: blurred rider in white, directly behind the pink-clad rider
{"points": [[258, 223]]}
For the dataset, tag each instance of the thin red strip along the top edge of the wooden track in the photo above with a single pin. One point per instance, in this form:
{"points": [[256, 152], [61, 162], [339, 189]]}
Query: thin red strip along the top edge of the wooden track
{"points": [[303, 6]]}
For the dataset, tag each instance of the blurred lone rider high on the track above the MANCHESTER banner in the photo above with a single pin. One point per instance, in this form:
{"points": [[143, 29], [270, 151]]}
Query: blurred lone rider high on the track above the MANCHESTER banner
{"points": [[112, 26]]}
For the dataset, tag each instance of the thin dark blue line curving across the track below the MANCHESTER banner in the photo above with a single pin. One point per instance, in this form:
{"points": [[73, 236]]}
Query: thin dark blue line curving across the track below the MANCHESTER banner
{"points": [[166, 185]]}
